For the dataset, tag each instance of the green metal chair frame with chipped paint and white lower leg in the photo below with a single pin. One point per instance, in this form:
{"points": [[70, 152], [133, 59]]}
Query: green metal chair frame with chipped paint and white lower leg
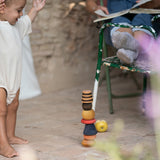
{"points": [[113, 61]]}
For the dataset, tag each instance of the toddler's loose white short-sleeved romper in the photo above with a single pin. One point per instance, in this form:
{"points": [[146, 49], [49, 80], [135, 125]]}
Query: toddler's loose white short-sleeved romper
{"points": [[11, 54]]}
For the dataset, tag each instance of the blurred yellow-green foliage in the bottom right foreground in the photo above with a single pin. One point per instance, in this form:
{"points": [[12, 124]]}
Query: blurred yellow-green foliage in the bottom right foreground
{"points": [[114, 151]]}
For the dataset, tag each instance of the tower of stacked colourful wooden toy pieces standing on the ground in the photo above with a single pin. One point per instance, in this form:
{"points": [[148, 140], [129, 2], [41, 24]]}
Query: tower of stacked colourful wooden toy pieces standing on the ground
{"points": [[88, 118]]}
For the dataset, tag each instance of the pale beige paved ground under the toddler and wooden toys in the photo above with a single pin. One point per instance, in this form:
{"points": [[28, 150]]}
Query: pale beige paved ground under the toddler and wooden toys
{"points": [[52, 122]]}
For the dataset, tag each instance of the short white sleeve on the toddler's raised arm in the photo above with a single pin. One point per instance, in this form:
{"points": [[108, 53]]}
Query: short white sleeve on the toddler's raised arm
{"points": [[24, 26]]}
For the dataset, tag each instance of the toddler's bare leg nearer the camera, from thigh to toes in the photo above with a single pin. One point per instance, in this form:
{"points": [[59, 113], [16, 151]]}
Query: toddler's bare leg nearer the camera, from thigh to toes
{"points": [[5, 149]]}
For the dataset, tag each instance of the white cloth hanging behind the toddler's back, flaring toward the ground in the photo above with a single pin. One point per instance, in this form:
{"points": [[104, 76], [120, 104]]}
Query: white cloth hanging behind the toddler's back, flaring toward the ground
{"points": [[29, 83]]}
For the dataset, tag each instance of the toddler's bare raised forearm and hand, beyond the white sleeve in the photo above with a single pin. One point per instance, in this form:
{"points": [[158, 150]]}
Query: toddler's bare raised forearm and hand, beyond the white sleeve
{"points": [[36, 7]]}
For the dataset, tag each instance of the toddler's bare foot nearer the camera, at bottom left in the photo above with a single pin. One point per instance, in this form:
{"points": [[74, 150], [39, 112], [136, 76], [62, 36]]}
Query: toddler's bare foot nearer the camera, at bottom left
{"points": [[8, 151]]}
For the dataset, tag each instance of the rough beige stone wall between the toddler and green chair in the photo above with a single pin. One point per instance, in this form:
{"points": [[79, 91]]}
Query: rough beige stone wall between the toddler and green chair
{"points": [[64, 44]]}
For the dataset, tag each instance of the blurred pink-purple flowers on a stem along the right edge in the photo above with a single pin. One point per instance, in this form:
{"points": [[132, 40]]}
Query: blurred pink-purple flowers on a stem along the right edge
{"points": [[153, 52]]}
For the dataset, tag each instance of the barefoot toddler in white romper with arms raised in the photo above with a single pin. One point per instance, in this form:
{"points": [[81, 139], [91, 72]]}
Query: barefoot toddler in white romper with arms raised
{"points": [[13, 27]]}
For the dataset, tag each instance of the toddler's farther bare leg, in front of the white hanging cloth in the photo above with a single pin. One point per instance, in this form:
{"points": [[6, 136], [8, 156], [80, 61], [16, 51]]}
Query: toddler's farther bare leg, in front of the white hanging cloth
{"points": [[11, 122]]}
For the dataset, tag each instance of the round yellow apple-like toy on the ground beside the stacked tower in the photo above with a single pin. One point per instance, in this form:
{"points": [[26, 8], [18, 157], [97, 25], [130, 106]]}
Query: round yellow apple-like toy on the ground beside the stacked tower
{"points": [[101, 125]]}
